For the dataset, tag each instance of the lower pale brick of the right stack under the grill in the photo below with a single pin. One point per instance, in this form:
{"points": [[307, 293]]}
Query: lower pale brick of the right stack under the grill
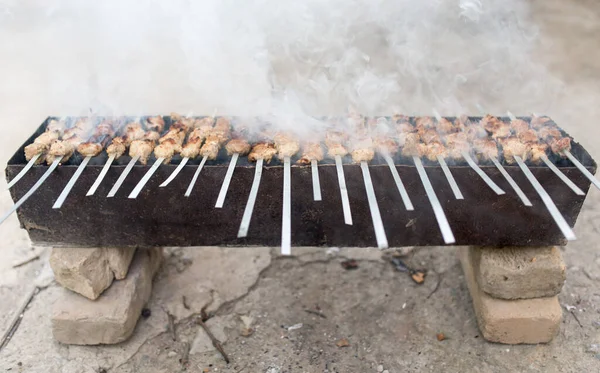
{"points": [[528, 321]]}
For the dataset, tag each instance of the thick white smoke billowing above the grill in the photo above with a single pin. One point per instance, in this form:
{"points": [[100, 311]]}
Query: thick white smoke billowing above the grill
{"points": [[281, 58]]}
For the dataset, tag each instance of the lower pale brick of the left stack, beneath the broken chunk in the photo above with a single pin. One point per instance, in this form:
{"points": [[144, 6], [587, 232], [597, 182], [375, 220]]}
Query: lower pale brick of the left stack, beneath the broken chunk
{"points": [[113, 316]]}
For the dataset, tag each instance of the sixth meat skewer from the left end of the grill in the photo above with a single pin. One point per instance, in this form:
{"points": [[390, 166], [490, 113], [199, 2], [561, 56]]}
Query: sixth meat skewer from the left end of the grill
{"points": [[168, 146]]}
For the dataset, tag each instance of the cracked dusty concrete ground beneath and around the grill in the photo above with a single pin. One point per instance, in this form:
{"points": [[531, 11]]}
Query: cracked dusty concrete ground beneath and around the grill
{"points": [[386, 318]]}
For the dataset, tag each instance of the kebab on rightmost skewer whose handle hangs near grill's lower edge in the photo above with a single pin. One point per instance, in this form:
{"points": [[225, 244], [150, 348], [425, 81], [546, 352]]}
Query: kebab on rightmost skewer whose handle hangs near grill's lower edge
{"points": [[517, 151]]}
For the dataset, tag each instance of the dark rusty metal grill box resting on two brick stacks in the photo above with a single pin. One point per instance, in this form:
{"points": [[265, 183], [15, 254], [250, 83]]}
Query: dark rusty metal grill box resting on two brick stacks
{"points": [[164, 217]]}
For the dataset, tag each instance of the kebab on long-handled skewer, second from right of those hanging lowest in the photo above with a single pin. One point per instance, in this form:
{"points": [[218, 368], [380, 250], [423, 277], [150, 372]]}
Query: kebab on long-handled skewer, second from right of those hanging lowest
{"points": [[415, 148]]}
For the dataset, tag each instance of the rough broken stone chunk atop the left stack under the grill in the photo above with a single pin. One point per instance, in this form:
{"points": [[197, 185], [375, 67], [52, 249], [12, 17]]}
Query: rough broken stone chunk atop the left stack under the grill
{"points": [[90, 271]]}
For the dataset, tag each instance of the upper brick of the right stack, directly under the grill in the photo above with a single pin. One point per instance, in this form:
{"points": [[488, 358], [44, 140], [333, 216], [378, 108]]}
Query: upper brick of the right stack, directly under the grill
{"points": [[519, 273]]}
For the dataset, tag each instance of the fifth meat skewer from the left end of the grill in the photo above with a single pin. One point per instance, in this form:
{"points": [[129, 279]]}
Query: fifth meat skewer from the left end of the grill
{"points": [[141, 149]]}
